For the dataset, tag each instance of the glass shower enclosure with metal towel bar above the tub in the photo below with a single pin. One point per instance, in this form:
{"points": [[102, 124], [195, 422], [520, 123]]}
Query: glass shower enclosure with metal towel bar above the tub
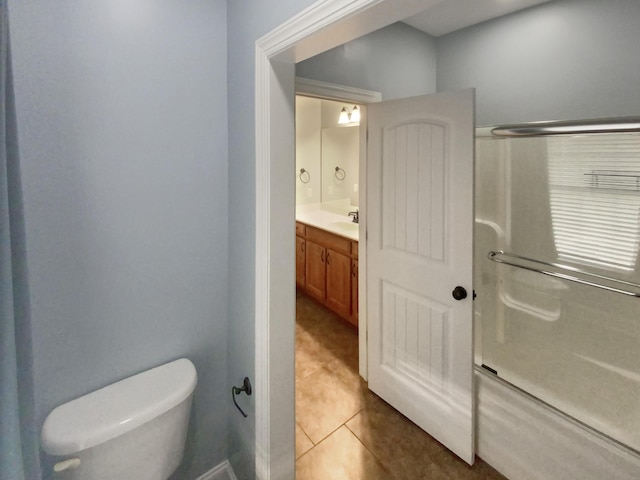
{"points": [[557, 269]]}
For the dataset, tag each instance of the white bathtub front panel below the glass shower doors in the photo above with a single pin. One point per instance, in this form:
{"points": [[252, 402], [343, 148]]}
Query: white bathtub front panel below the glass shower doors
{"points": [[526, 440]]}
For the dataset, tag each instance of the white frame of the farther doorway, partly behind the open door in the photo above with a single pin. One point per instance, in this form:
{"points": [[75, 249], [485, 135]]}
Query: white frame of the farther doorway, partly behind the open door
{"points": [[342, 93]]}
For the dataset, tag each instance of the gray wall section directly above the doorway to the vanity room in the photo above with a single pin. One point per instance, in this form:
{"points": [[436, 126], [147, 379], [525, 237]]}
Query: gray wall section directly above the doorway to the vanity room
{"points": [[398, 61]]}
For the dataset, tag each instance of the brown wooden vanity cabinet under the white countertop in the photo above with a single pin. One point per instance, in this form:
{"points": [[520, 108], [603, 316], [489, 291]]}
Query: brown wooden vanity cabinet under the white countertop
{"points": [[328, 269]]}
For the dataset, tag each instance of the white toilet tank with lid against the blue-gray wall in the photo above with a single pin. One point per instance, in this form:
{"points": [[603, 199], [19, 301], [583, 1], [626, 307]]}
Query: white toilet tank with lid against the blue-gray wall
{"points": [[133, 429]]}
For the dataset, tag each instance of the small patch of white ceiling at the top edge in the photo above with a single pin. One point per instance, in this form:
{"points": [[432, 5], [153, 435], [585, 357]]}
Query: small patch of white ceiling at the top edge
{"points": [[450, 15]]}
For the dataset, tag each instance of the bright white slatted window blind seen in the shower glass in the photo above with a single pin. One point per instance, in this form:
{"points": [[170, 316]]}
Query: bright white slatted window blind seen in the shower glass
{"points": [[594, 184]]}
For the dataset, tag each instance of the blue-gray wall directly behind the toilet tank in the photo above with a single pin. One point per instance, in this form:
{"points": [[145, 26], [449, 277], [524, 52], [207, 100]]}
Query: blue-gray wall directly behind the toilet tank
{"points": [[122, 122]]}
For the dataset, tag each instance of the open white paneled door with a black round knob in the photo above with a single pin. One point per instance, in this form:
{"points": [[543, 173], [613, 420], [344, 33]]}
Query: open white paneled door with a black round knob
{"points": [[420, 239]]}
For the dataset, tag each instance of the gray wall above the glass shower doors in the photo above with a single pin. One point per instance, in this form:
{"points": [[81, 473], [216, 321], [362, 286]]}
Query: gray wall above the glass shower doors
{"points": [[561, 60]]}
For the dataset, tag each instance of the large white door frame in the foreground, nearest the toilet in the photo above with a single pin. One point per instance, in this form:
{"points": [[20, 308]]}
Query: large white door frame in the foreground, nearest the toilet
{"points": [[320, 27]]}
